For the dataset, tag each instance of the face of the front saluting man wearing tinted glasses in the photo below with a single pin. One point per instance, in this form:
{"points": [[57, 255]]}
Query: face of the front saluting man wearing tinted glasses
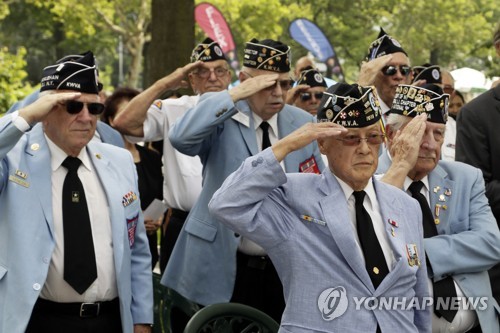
{"points": [[353, 156]]}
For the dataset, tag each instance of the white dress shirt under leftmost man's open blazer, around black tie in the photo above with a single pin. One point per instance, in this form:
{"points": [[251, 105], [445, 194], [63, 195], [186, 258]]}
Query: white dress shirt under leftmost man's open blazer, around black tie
{"points": [[104, 287]]}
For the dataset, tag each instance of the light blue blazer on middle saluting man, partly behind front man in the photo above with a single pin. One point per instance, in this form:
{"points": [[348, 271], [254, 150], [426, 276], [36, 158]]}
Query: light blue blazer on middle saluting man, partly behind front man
{"points": [[203, 263]]}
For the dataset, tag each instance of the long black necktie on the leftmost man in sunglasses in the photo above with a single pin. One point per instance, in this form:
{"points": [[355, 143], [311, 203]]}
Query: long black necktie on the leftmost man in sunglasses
{"points": [[80, 269]]}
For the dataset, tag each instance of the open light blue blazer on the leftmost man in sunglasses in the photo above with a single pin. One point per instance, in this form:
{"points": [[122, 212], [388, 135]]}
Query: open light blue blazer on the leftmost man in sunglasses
{"points": [[26, 226]]}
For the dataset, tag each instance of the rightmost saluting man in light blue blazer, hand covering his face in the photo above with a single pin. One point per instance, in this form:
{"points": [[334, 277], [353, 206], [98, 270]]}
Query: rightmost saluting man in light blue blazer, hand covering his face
{"points": [[462, 240]]}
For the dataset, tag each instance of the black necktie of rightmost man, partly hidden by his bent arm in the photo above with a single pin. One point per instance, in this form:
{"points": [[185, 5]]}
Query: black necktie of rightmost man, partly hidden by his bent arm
{"points": [[446, 287]]}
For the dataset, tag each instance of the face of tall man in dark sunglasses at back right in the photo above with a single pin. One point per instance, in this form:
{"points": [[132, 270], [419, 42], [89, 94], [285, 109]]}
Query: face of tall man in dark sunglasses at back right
{"points": [[386, 84]]}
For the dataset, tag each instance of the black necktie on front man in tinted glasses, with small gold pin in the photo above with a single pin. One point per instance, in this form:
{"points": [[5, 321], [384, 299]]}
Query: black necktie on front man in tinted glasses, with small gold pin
{"points": [[374, 257]]}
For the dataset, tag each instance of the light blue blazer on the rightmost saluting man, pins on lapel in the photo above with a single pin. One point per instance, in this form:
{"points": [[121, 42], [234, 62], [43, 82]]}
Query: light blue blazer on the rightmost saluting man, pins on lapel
{"points": [[468, 243]]}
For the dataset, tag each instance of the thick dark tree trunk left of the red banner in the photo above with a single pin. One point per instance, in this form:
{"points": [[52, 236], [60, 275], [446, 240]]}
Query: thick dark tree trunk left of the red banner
{"points": [[172, 38]]}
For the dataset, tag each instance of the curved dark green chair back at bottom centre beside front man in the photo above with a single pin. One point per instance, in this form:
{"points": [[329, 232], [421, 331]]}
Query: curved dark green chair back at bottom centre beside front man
{"points": [[229, 318]]}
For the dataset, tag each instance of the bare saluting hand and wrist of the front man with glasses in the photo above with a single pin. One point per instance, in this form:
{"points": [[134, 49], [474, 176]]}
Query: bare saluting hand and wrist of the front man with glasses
{"points": [[304, 136]]}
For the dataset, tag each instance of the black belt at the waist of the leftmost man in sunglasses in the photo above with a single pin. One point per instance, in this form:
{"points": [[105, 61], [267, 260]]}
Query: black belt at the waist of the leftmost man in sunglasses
{"points": [[83, 310]]}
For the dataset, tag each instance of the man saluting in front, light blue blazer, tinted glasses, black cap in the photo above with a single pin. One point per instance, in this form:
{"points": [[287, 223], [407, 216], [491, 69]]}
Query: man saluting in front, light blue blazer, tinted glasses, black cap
{"points": [[336, 237]]}
